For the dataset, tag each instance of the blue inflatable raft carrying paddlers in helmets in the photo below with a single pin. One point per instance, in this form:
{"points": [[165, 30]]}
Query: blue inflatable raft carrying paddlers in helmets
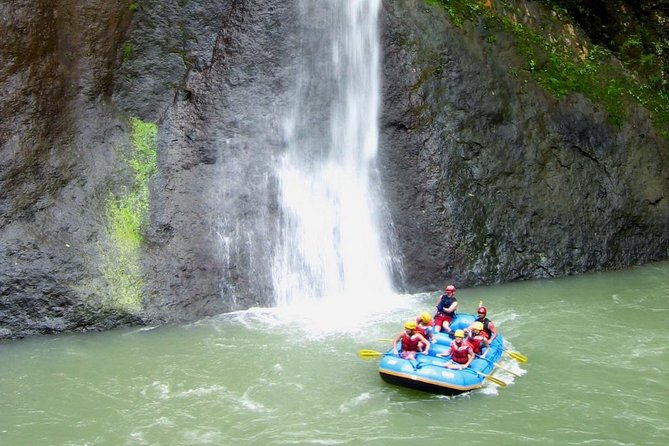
{"points": [[427, 372]]}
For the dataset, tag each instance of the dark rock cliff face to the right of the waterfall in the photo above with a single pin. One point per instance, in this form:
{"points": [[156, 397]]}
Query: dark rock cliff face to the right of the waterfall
{"points": [[500, 180]]}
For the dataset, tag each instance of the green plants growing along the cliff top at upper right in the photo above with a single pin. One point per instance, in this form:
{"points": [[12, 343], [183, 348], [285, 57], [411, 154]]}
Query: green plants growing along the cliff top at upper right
{"points": [[562, 62]]}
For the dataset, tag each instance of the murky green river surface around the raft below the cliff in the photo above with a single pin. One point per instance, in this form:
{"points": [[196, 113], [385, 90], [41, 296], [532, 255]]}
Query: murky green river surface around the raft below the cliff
{"points": [[597, 375]]}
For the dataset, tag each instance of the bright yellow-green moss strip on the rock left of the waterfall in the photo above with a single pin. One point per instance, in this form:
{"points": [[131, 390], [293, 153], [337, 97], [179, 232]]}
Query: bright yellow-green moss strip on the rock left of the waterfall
{"points": [[125, 216]]}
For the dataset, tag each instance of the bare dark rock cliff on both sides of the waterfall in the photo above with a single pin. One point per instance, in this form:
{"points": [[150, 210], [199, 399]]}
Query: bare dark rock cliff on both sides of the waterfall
{"points": [[488, 177]]}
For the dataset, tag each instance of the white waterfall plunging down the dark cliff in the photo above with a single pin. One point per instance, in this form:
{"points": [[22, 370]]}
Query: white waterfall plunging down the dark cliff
{"points": [[331, 241]]}
